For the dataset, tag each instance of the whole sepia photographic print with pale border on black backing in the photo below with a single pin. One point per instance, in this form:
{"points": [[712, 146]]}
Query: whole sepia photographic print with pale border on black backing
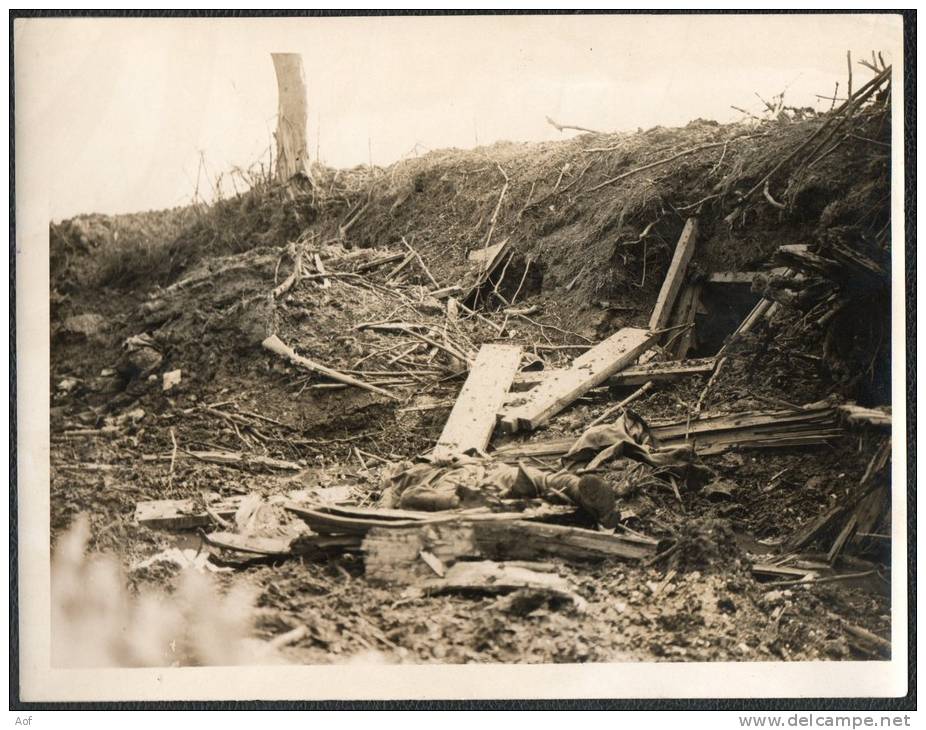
{"points": [[376, 346]]}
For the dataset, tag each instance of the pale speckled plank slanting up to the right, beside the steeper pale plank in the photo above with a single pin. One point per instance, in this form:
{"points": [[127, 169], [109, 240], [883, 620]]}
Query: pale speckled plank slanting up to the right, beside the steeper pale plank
{"points": [[590, 369]]}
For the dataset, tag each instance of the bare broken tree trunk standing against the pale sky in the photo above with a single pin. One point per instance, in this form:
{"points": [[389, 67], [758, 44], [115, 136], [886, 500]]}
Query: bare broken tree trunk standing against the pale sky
{"points": [[292, 158]]}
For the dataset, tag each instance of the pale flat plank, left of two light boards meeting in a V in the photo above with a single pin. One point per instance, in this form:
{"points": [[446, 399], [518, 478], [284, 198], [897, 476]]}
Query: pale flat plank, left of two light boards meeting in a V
{"points": [[472, 419]]}
